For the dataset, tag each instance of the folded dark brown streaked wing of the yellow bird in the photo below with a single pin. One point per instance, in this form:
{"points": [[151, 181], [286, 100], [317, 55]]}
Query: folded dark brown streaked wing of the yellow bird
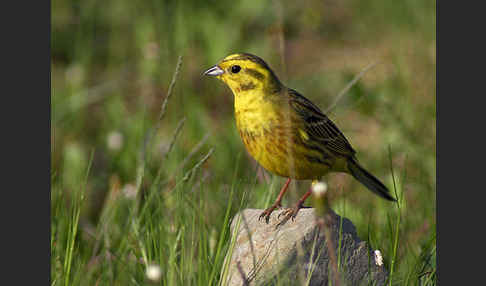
{"points": [[319, 126]]}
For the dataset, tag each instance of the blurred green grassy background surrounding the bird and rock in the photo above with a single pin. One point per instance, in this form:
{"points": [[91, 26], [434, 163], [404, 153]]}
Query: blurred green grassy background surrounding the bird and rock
{"points": [[111, 66]]}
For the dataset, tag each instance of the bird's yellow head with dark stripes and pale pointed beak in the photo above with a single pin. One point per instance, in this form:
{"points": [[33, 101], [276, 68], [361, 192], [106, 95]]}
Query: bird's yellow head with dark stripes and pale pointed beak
{"points": [[245, 72]]}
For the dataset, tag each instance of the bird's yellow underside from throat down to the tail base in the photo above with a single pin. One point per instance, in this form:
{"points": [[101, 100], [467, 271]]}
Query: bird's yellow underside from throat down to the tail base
{"points": [[271, 133]]}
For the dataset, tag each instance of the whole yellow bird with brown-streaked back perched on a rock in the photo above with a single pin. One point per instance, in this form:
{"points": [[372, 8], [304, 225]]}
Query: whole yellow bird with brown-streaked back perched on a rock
{"points": [[285, 132]]}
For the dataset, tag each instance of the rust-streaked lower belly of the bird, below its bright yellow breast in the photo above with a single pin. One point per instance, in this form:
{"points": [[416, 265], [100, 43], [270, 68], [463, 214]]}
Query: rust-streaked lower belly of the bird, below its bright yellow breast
{"points": [[282, 153]]}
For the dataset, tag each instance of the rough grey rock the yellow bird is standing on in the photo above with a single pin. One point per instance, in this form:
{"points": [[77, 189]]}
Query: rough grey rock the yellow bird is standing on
{"points": [[296, 253]]}
